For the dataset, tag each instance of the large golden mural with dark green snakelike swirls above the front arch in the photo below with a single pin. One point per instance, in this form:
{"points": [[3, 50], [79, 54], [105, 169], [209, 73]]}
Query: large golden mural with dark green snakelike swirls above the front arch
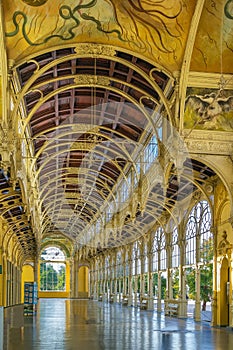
{"points": [[154, 28]]}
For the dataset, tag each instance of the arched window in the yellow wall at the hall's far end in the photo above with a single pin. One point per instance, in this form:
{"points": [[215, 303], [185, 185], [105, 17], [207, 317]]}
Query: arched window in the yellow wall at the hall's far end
{"points": [[52, 270]]}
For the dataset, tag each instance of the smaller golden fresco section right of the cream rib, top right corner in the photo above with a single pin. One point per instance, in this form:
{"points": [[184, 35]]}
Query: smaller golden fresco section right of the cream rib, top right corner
{"points": [[213, 48]]}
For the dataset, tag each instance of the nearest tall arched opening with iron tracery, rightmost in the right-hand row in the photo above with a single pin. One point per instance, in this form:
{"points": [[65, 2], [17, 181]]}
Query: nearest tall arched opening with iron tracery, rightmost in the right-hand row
{"points": [[199, 259]]}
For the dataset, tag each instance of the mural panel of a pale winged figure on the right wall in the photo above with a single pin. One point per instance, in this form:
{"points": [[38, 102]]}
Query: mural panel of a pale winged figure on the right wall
{"points": [[209, 110]]}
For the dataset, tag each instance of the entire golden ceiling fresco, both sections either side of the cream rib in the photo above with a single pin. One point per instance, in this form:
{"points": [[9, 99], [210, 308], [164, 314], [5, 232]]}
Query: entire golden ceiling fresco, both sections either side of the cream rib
{"points": [[155, 29]]}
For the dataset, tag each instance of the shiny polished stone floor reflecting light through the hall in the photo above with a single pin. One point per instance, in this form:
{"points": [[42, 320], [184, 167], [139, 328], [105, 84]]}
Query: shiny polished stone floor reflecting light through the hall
{"points": [[90, 325]]}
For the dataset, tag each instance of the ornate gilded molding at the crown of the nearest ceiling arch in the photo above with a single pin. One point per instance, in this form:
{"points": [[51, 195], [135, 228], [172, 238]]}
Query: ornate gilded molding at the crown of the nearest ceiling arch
{"points": [[95, 49]]}
